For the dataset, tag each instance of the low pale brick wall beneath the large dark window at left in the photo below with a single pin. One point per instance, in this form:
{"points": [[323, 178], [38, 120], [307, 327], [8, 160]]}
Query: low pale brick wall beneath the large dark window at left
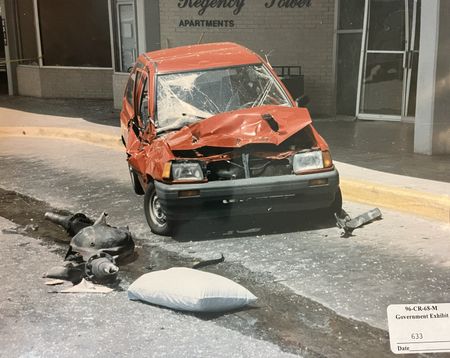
{"points": [[64, 82]]}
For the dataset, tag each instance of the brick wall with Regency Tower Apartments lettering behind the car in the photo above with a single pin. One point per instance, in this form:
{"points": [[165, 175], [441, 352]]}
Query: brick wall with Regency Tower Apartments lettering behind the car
{"points": [[293, 36]]}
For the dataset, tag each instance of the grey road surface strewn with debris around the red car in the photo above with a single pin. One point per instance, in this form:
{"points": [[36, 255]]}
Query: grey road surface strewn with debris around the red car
{"points": [[400, 259]]}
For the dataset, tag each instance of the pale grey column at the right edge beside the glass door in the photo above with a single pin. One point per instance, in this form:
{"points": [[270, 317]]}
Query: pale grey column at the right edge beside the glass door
{"points": [[432, 123]]}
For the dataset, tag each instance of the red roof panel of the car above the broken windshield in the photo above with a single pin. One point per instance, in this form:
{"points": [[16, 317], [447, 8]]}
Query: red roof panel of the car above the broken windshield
{"points": [[204, 56]]}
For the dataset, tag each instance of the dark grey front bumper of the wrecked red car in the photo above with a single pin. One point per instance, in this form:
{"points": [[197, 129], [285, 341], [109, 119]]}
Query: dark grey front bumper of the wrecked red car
{"points": [[248, 196]]}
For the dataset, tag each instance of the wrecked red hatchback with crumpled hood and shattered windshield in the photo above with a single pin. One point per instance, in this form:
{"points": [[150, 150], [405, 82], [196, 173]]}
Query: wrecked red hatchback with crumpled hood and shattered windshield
{"points": [[211, 131]]}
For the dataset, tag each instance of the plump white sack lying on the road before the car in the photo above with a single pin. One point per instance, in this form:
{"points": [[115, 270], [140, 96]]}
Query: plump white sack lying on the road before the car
{"points": [[187, 289]]}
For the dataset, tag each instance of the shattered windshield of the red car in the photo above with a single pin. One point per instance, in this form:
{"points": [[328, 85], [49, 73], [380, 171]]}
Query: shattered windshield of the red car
{"points": [[184, 98]]}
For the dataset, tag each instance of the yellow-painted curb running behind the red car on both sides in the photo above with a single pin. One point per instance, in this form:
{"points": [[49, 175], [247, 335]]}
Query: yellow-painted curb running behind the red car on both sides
{"points": [[409, 201]]}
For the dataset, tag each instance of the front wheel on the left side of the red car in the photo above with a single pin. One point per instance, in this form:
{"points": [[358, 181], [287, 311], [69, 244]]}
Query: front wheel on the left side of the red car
{"points": [[154, 213]]}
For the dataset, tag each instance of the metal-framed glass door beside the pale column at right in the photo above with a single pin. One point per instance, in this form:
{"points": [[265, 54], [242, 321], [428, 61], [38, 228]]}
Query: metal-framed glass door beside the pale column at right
{"points": [[389, 70]]}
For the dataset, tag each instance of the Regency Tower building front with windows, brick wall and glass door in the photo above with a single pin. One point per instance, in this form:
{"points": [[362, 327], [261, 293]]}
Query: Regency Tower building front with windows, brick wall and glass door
{"points": [[359, 58]]}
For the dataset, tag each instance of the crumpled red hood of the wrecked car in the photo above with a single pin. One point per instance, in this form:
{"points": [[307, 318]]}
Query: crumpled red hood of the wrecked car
{"points": [[239, 128]]}
